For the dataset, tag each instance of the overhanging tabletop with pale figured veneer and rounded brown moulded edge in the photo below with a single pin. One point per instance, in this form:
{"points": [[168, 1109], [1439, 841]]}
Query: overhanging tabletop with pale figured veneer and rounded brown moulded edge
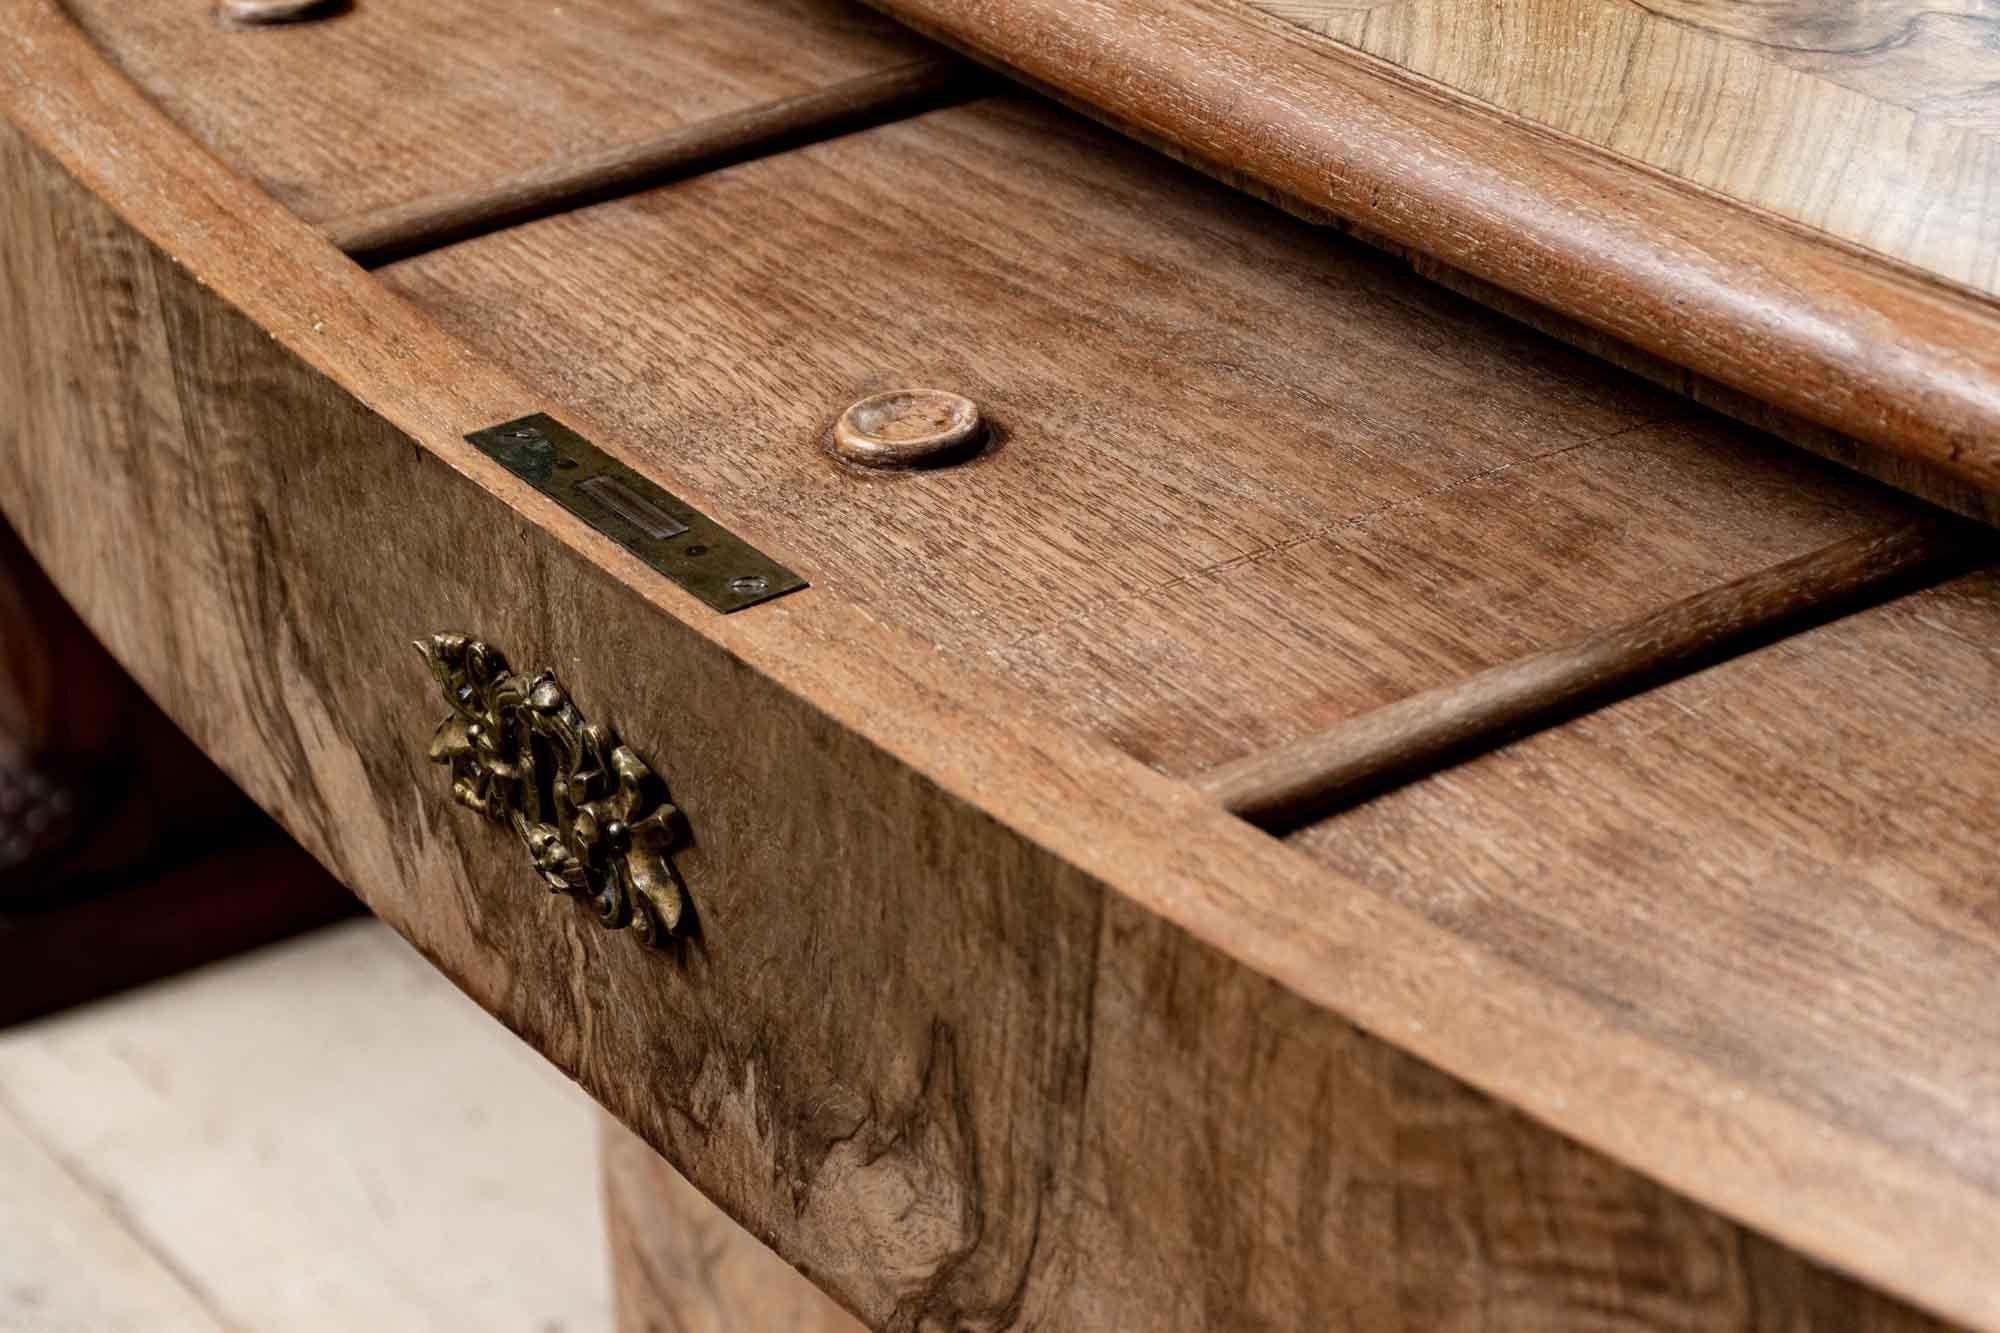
{"points": [[1693, 187]]}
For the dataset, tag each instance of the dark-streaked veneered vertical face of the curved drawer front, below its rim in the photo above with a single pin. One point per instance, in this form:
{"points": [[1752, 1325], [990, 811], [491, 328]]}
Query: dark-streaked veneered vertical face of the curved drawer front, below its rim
{"points": [[929, 1062]]}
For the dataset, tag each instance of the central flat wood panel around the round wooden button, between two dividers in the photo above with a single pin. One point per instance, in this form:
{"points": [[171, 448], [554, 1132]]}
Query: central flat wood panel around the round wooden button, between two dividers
{"points": [[1353, 489]]}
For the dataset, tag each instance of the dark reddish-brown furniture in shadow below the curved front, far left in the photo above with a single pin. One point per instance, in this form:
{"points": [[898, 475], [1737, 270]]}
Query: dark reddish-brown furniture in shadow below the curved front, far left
{"points": [[125, 854]]}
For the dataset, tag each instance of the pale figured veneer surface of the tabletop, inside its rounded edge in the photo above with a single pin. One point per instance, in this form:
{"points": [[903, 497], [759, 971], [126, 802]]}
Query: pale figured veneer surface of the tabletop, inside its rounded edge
{"points": [[1873, 123]]}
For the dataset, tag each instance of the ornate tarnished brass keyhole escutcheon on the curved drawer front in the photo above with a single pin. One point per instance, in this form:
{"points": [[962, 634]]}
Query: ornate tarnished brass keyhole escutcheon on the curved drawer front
{"points": [[589, 812]]}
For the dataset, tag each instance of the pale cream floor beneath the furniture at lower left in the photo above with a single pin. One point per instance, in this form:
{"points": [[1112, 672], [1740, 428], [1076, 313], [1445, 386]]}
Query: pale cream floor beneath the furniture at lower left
{"points": [[317, 1136]]}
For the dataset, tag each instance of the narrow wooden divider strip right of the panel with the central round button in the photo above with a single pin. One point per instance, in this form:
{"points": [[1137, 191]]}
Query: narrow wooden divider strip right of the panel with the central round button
{"points": [[1427, 732]]}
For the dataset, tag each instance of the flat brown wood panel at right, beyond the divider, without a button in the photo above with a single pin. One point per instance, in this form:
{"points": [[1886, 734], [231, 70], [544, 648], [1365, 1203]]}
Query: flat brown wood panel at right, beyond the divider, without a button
{"points": [[1779, 868]]}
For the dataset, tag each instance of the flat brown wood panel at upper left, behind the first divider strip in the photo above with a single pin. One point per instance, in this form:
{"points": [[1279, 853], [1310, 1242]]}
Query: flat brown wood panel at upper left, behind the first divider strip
{"points": [[387, 103]]}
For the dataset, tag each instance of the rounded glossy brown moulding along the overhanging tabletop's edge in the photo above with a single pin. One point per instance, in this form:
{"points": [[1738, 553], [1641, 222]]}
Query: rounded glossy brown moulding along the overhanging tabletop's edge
{"points": [[1791, 317]]}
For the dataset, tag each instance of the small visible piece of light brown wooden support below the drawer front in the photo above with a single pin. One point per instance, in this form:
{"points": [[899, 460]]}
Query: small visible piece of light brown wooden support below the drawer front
{"points": [[681, 1266]]}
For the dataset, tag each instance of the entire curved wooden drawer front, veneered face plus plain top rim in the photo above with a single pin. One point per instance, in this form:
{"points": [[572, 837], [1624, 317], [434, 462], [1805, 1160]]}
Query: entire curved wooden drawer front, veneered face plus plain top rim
{"points": [[971, 1026]]}
